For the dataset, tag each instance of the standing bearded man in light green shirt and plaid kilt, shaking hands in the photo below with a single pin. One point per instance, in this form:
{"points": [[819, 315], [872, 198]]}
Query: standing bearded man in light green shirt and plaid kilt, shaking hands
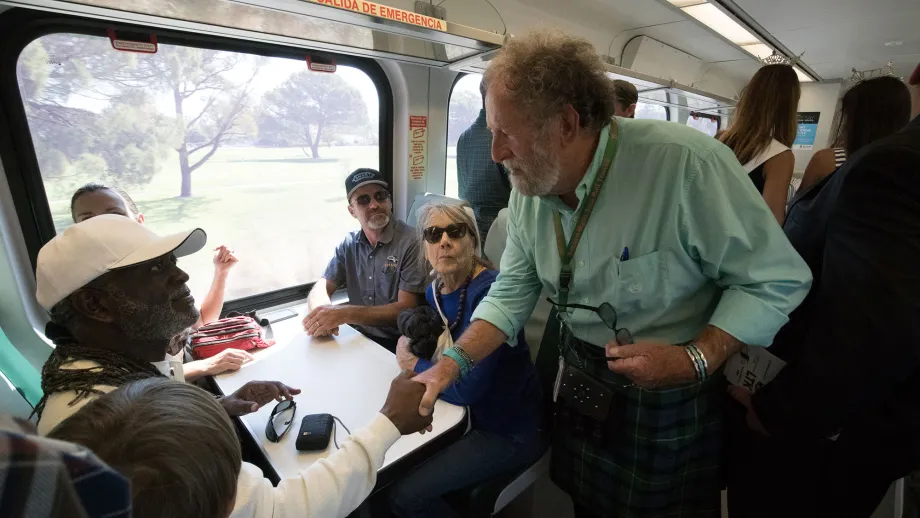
{"points": [[662, 259]]}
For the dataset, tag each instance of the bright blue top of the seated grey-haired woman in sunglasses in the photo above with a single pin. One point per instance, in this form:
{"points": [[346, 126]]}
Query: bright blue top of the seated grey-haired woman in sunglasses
{"points": [[502, 390]]}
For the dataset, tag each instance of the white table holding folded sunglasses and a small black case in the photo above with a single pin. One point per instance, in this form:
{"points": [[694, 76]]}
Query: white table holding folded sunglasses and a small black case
{"points": [[347, 376]]}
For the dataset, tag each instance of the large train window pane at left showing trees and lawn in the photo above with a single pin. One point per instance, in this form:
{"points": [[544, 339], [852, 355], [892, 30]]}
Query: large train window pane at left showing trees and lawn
{"points": [[251, 148]]}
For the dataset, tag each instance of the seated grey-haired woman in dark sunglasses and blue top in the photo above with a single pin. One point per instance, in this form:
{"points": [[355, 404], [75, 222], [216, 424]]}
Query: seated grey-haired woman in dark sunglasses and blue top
{"points": [[502, 391]]}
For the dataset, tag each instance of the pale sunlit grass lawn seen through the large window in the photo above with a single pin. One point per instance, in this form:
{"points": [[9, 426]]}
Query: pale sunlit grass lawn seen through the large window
{"points": [[282, 212]]}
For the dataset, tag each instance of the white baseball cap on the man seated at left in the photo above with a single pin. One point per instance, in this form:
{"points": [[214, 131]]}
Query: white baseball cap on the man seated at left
{"points": [[88, 250]]}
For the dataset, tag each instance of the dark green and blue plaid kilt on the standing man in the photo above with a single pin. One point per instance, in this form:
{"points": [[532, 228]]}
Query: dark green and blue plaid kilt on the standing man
{"points": [[657, 455]]}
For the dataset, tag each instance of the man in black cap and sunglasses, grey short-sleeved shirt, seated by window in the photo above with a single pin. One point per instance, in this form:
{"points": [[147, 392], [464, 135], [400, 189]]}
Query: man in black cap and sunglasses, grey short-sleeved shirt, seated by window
{"points": [[379, 265]]}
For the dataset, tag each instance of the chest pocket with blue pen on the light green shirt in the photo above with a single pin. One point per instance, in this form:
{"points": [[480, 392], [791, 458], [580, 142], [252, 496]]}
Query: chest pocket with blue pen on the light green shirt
{"points": [[641, 283]]}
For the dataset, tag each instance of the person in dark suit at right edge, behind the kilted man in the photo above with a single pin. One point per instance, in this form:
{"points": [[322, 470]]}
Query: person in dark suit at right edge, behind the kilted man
{"points": [[841, 422]]}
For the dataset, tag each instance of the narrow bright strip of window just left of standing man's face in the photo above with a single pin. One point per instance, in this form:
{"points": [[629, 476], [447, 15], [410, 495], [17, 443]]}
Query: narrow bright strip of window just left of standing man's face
{"points": [[462, 112]]}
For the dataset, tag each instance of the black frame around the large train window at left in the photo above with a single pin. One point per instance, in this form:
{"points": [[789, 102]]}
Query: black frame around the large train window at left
{"points": [[20, 27]]}
